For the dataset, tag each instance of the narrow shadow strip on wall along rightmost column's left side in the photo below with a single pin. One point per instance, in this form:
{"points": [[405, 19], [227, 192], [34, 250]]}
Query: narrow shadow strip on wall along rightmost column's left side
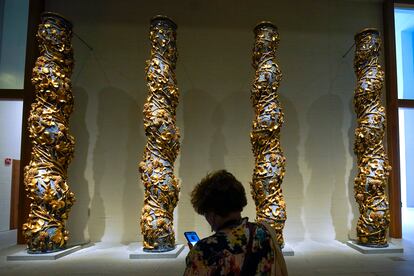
{"points": [[353, 172]]}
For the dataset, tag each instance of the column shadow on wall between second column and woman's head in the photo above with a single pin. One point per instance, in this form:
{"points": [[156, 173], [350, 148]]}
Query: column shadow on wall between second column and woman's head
{"points": [[197, 106]]}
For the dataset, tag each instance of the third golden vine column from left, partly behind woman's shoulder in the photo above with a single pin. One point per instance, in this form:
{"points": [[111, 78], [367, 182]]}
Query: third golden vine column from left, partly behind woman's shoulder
{"points": [[269, 168]]}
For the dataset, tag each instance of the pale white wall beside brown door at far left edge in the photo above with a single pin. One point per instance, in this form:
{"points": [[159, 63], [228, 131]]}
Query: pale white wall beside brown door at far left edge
{"points": [[10, 138]]}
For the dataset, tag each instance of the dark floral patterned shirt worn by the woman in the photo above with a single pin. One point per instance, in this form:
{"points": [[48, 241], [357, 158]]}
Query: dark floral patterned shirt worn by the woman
{"points": [[223, 253]]}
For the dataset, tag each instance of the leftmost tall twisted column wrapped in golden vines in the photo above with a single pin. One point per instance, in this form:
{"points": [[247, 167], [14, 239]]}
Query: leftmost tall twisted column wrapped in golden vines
{"points": [[46, 175]]}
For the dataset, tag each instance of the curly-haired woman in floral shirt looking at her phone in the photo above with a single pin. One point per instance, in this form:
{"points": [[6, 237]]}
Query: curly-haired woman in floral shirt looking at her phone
{"points": [[238, 247]]}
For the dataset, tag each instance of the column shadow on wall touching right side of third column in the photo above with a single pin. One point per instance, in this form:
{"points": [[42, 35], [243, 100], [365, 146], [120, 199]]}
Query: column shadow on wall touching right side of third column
{"points": [[293, 185]]}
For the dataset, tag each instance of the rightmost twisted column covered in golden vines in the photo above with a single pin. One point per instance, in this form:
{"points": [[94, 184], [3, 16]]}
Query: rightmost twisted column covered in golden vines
{"points": [[373, 169]]}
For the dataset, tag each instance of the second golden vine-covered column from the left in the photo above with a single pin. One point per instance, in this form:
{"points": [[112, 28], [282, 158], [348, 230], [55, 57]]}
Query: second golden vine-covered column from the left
{"points": [[157, 167]]}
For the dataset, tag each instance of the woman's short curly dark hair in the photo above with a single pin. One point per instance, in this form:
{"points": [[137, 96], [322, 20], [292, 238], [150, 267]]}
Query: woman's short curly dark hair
{"points": [[219, 192]]}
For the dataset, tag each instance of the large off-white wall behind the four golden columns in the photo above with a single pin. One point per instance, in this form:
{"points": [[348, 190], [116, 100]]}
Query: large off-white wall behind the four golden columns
{"points": [[214, 75]]}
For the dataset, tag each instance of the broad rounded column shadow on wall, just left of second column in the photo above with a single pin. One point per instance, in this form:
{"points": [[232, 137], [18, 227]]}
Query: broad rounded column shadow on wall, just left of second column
{"points": [[116, 177]]}
